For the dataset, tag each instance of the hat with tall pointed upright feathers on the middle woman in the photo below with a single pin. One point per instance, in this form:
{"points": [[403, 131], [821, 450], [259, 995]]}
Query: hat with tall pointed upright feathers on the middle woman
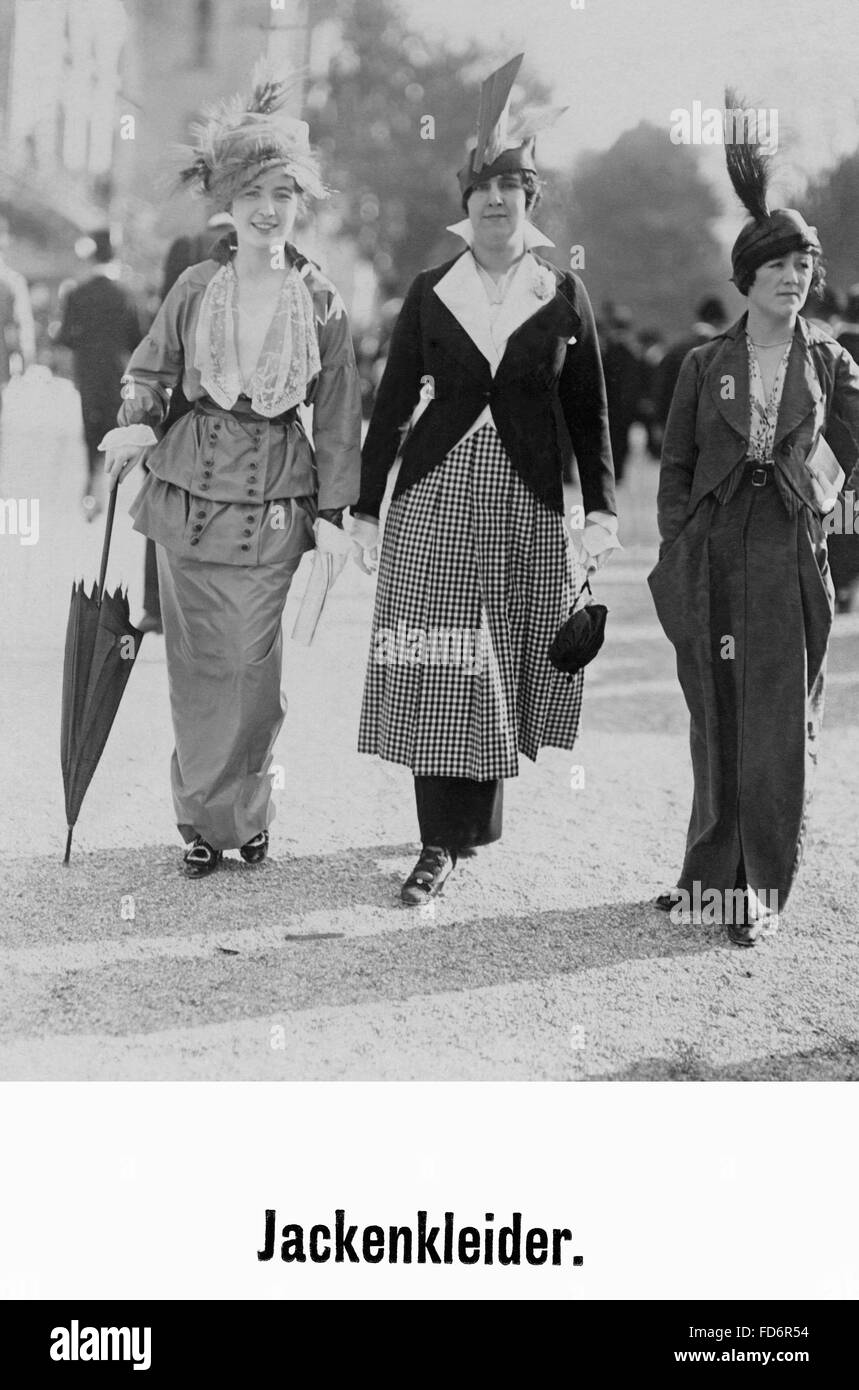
{"points": [[502, 147]]}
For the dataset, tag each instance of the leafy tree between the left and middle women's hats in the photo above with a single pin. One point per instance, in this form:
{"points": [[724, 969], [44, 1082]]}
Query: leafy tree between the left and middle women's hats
{"points": [[384, 87]]}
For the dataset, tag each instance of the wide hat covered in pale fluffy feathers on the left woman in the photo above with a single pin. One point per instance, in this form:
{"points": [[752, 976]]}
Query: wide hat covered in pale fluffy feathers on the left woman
{"points": [[240, 140]]}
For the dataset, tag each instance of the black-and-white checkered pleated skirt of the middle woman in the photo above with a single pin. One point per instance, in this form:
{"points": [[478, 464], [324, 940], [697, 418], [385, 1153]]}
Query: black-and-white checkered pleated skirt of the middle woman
{"points": [[476, 578]]}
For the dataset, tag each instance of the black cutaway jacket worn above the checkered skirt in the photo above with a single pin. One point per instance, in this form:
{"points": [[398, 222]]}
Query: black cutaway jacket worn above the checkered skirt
{"points": [[543, 384]]}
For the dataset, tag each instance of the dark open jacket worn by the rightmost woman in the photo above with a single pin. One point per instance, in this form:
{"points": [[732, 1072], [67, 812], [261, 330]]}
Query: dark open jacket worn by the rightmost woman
{"points": [[708, 432]]}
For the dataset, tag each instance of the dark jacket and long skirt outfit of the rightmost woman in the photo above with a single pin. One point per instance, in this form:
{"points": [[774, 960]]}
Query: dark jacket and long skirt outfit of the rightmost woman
{"points": [[744, 594]]}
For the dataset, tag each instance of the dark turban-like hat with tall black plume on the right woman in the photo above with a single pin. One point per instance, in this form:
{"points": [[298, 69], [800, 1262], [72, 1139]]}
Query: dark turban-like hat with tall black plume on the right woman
{"points": [[772, 233]]}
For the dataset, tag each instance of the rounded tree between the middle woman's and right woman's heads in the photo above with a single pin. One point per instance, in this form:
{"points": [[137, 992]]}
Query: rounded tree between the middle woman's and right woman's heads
{"points": [[644, 216]]}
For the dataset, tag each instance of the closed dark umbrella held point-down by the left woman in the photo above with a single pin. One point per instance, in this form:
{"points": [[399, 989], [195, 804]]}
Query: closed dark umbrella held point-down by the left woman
{"points": [[101, 650]]}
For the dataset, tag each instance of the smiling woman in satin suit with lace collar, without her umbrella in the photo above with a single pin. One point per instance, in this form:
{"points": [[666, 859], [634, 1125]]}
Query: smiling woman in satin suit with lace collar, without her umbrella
{"points": [[236, 496]]}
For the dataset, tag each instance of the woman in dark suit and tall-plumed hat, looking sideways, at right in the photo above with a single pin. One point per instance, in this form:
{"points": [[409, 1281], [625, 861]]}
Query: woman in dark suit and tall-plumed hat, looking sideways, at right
{"points": [[743, 587]]}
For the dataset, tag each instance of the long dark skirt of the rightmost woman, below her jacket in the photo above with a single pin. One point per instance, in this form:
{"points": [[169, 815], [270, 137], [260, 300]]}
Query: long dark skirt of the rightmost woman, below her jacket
{"points": [[746, 597]]}
